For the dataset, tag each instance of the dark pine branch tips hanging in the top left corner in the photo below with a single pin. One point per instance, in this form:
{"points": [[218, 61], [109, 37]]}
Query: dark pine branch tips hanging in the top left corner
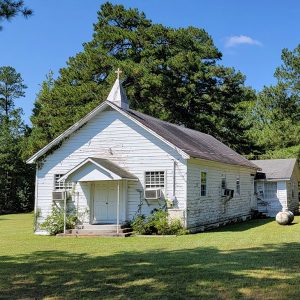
{"points": [[11, 8]]}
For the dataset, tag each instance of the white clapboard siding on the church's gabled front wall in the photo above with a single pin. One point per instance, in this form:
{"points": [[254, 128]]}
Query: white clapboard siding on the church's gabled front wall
{"points": [[112, 136]]}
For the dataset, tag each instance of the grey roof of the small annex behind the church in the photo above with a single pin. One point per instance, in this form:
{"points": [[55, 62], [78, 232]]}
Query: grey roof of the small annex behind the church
{"points": [[276, 169]]}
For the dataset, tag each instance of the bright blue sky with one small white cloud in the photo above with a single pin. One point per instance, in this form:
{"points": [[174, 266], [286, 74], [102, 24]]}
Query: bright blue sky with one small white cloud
{"points": [[250, 34]]}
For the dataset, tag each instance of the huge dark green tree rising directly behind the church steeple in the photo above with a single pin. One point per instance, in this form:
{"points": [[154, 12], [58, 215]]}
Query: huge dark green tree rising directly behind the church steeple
{"points": [[172, 74]]}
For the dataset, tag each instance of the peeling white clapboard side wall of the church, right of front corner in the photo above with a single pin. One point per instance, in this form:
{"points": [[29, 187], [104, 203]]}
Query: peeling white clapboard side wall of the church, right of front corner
{"points": [[210, 209]]}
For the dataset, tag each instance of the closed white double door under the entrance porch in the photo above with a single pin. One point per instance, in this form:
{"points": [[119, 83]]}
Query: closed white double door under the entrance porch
{"points": [[105, 202]]}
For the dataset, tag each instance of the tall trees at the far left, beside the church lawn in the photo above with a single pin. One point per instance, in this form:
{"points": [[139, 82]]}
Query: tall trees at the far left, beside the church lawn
{"points": [[16, 178]]}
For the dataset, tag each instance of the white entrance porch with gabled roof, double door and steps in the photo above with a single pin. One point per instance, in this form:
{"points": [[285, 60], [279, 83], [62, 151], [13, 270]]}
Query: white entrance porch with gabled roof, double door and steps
{"points": [[107, 192]]}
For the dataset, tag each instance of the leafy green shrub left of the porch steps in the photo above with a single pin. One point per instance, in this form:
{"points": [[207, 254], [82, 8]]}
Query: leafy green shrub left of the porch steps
{"points": [[54, 223]]}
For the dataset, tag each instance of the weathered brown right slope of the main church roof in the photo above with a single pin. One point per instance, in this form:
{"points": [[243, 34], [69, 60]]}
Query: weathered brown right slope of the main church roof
{"points": [[194, 143]]}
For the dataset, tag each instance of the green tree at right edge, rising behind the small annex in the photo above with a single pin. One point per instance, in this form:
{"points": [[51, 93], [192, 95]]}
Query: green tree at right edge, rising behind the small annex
{"points": [[275, 115]]}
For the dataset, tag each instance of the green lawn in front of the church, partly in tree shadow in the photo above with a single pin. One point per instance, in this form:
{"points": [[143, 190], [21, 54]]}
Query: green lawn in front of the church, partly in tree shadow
{"points": [[254, 260]]}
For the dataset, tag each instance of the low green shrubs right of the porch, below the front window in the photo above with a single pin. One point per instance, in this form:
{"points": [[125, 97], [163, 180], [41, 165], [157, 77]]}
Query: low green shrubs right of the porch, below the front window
{"points": [[157, 223]]}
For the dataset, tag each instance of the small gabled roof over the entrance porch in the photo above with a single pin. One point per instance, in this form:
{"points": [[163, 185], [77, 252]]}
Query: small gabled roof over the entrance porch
{"points": [[112, 170]]}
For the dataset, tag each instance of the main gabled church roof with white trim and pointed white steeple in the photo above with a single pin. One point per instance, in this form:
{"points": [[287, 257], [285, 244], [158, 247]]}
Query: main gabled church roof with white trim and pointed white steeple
{"points": [[188, 142]]}
